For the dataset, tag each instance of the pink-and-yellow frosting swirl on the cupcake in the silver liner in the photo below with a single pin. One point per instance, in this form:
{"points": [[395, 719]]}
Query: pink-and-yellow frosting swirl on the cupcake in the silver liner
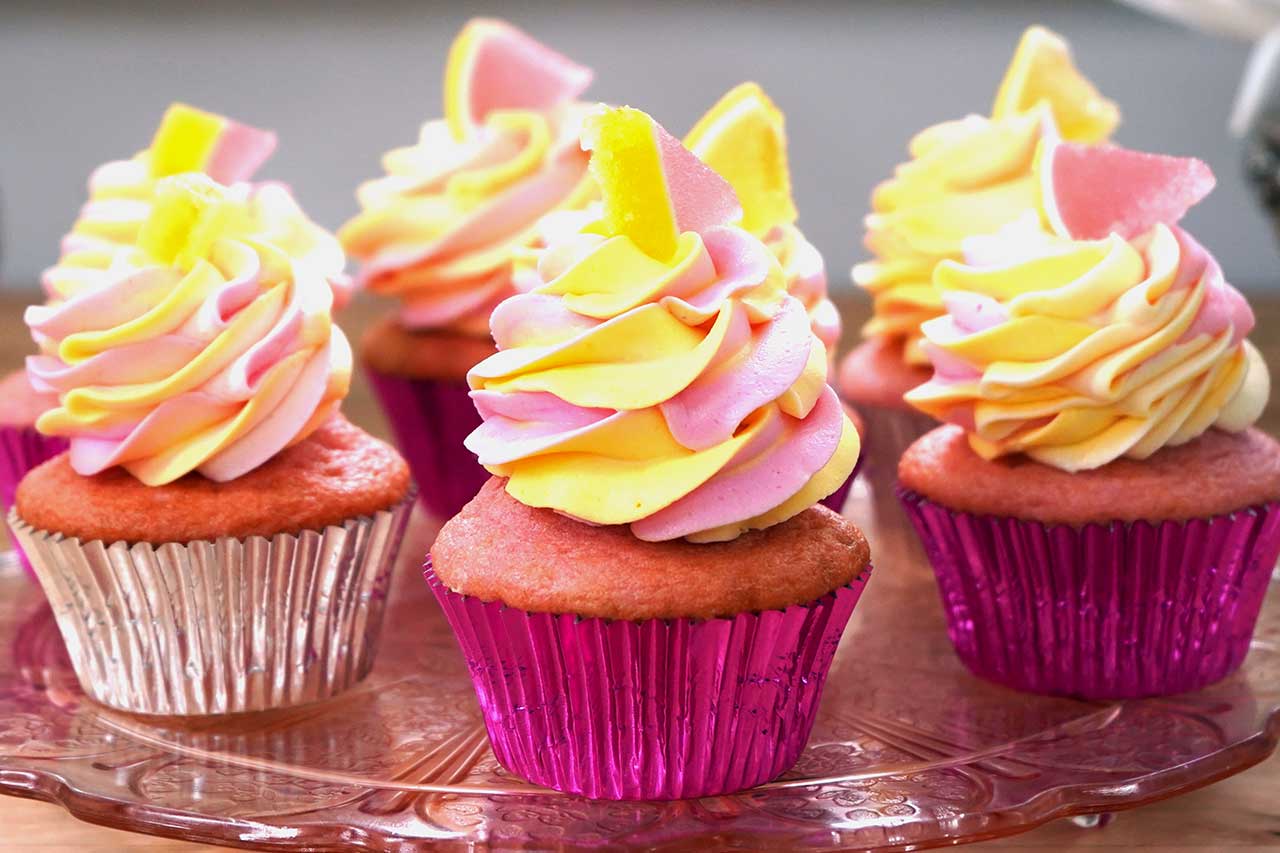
{"points": [[205, 344]]}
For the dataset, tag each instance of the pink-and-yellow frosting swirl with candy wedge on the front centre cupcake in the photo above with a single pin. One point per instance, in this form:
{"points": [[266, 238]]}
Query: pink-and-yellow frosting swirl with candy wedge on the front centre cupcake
{"points": [[660, 376]]}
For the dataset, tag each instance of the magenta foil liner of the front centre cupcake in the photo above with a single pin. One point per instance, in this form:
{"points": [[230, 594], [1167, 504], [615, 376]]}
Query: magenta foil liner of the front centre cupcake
{"points": [[648, 710]]}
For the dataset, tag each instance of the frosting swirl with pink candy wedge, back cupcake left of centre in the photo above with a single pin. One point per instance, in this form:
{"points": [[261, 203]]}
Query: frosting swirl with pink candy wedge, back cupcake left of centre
{"points": [[441, 230]]}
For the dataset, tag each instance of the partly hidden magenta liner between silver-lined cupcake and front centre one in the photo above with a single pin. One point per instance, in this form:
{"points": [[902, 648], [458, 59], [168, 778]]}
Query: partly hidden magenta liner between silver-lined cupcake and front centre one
{"points": [[431, 419]]}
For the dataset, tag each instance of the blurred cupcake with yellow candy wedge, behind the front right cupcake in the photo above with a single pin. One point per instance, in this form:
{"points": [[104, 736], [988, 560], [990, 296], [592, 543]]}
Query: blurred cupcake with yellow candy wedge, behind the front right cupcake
{"points": [[966, 177]]}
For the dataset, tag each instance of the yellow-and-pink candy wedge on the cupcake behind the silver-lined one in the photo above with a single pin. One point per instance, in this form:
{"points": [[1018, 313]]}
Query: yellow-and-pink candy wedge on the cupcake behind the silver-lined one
{"points": [[191, 140]]}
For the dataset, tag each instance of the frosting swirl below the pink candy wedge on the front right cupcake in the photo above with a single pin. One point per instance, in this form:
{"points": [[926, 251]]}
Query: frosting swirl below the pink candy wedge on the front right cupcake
{"points": [[1078, 353]]}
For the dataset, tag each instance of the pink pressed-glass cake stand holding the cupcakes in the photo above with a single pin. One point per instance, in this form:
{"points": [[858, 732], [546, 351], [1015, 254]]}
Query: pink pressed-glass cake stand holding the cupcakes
{"points": [[909, 750]]}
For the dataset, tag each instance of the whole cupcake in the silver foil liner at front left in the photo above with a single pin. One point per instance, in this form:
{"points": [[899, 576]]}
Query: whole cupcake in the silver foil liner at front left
{"points": [[217, 539]]}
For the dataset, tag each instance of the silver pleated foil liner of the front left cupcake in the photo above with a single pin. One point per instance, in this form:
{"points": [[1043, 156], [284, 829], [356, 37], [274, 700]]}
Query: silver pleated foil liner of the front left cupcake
{"points": [[221, 627]]}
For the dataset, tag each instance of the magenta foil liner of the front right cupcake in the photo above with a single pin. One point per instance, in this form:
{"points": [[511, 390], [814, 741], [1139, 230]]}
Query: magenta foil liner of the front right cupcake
{"points": [[1113, 612]]}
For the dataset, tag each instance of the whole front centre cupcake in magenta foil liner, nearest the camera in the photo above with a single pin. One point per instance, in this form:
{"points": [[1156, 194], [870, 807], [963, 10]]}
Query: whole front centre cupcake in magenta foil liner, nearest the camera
{"points": [[647, 595]]}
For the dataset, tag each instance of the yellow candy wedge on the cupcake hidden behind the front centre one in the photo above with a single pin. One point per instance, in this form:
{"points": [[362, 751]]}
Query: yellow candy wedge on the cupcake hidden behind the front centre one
{"points": [[744, 139]]}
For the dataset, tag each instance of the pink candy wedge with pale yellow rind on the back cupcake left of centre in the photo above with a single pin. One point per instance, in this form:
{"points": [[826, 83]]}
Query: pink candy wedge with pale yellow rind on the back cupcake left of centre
{"points": [[493, 66]]}
